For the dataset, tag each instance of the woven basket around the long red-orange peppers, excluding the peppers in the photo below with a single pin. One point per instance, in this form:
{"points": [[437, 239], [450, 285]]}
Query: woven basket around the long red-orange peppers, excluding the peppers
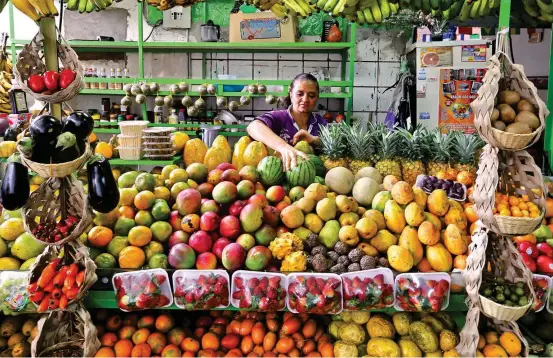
{"points": [[73, 252]]}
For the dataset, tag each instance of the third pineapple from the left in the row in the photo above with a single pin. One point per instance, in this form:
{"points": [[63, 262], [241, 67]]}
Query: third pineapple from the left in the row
{"points": [[387, 143]]}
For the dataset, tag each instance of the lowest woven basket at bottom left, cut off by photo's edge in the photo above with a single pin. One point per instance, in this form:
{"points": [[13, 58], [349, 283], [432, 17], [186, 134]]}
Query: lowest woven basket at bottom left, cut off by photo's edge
{"points": [[64, 332]]}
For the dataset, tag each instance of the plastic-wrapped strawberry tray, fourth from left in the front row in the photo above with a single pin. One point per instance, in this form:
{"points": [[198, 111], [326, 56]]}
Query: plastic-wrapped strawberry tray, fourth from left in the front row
{"points": [[317, 293]]}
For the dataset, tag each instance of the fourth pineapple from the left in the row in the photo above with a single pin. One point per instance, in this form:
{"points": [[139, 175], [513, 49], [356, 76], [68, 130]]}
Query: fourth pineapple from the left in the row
{"points": [[413, 151]]}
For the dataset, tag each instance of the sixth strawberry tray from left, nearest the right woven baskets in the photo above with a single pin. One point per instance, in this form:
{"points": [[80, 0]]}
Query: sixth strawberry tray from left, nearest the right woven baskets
{"points": [[420, 292]]}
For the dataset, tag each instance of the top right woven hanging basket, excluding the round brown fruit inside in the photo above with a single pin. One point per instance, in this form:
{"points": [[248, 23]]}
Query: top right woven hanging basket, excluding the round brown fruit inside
{"points": [[502, 75]]}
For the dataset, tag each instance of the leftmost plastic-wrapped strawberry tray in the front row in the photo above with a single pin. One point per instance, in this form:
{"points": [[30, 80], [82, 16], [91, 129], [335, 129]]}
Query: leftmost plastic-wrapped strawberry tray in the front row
{"points": [[140, 290]]}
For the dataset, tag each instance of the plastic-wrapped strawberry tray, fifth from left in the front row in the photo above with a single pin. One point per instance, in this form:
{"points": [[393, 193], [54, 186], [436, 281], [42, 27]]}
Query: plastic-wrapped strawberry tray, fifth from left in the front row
{"points": [[368, 289]]}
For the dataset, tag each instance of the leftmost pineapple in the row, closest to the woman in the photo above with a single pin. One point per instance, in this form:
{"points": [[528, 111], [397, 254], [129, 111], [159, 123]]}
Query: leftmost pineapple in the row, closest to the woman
{"points": [[333, 146]]}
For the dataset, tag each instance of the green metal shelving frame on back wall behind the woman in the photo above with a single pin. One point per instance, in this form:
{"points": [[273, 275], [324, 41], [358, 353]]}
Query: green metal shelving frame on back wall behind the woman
{"points": [[343, 48]]}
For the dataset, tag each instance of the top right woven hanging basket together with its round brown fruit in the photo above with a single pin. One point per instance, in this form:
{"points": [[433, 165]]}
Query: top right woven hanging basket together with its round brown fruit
{"points": [[509, 114]]}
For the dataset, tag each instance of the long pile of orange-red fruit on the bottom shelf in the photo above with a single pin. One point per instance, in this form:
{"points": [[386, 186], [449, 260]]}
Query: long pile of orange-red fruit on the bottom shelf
{"points": [[221, 333]]}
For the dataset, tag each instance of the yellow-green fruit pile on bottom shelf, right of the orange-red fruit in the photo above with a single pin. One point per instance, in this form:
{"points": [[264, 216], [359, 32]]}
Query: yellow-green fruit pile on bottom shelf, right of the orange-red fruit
{"points": [[402, 335]]}
